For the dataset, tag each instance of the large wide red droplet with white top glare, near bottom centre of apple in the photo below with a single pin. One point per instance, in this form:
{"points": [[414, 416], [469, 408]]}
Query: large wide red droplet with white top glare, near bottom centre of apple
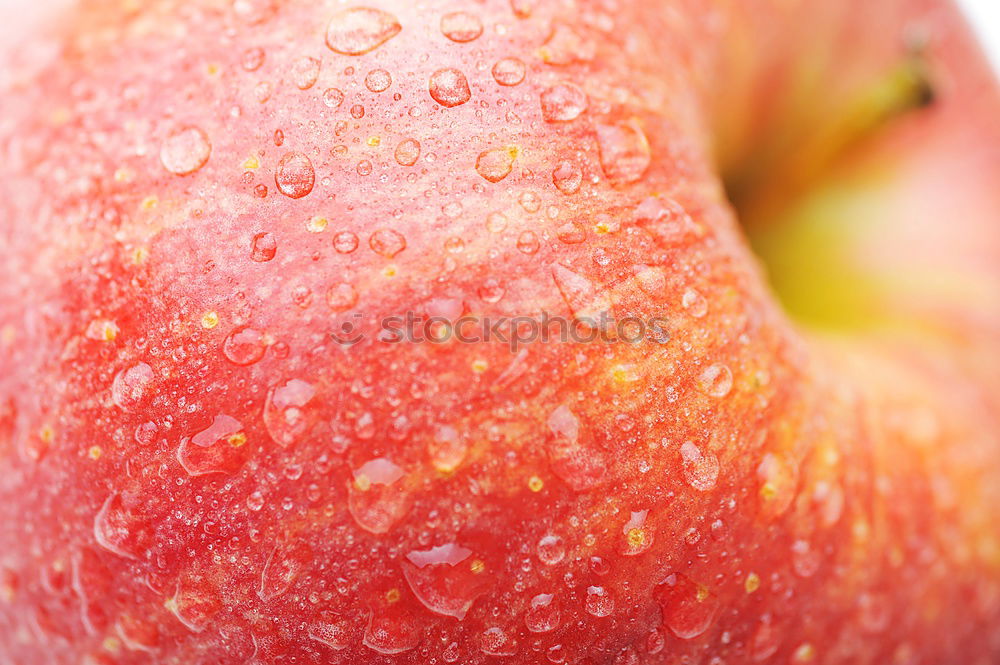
{"points": [[446, 579]]}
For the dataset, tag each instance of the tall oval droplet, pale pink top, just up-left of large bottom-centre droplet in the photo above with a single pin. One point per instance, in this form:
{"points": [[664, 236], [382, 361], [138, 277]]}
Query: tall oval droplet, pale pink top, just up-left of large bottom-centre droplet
{"points": [[376, 498]]}
